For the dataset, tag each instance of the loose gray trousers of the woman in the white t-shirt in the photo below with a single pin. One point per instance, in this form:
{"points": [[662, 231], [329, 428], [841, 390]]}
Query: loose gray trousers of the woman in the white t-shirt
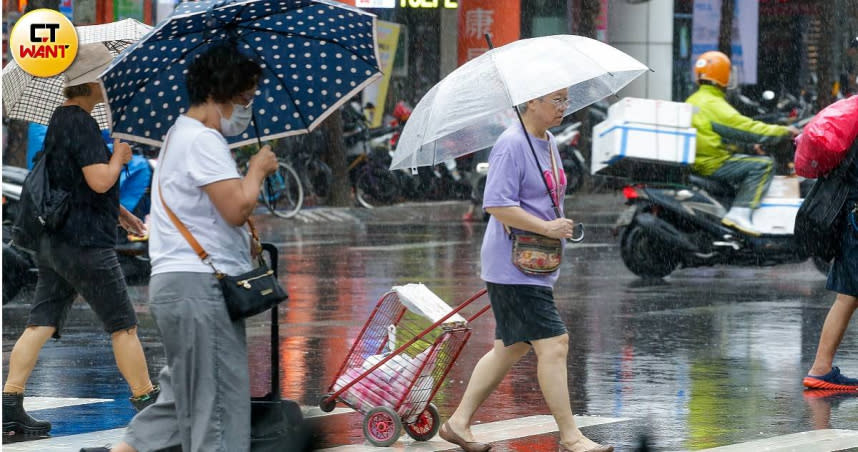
{"points": [[205, 387]]}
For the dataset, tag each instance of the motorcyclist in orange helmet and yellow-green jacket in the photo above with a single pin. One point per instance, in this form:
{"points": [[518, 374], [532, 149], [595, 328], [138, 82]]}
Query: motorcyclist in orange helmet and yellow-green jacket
{"points": [[728, 143]]}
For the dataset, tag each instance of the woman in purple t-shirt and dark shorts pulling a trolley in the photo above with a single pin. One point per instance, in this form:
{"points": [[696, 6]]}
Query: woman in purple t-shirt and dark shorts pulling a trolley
{"points": [[523, 305]]}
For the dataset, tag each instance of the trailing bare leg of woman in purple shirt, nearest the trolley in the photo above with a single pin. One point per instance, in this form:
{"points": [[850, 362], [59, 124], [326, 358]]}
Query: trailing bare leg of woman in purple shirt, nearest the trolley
{"points": [[488, 373]]}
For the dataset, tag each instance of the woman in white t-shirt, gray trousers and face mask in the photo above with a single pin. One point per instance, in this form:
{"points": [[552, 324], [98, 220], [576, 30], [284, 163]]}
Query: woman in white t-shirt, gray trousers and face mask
{"points": [[205, 387]]}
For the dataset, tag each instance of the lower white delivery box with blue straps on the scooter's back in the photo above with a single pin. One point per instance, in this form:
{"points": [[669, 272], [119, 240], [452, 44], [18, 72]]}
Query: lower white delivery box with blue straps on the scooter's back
{"points": [[624, 148]]}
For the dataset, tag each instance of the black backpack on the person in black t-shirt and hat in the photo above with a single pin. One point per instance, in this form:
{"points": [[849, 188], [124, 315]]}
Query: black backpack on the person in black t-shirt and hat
{"points": [[41, 208]]}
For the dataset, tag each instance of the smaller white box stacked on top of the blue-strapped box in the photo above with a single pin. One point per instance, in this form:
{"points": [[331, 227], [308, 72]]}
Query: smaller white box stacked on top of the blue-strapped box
{"points": [[650, 111]]}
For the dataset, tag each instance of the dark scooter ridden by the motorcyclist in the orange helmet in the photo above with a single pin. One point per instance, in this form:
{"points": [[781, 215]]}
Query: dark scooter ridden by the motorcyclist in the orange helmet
{"points": [[668, 225]]}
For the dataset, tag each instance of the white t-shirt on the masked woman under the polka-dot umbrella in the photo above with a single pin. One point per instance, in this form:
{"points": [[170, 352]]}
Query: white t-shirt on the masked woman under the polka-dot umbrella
{"points": [[195, 156]]}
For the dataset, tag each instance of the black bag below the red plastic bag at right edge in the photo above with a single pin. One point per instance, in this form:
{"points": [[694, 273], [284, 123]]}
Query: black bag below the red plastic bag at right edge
{"points": [[821, 218]]}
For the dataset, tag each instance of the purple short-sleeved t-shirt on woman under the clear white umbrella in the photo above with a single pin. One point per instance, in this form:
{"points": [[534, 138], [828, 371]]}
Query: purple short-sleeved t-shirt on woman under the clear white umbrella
{"points": [[514, 180]]}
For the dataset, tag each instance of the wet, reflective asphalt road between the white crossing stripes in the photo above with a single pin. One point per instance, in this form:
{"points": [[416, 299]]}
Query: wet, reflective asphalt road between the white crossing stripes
{"points": [[705, 358]]}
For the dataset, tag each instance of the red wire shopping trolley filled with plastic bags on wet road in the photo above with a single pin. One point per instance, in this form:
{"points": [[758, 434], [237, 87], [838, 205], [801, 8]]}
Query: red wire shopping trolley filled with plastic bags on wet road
{"points": [[399, 361]]}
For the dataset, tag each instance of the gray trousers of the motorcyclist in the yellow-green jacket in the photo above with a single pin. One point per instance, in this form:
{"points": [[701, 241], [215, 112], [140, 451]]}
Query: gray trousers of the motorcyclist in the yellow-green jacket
{"points": [[751, 173]]}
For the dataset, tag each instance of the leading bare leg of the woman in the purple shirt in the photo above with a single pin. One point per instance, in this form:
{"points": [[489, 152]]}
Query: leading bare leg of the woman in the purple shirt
{"points": [[551, 370]]}
